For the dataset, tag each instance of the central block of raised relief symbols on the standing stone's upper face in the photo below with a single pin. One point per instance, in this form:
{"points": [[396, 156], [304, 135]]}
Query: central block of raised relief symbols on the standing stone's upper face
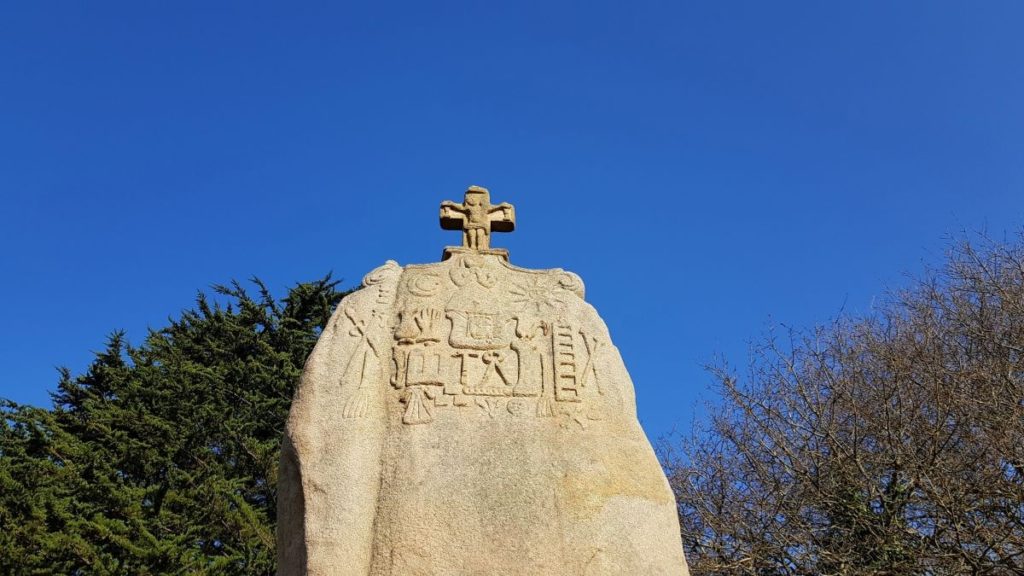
{"points": [[498, 349]]}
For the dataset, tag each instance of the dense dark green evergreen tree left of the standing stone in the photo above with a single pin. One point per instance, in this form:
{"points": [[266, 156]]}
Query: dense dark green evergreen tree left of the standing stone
{"points": [[162, 459]]}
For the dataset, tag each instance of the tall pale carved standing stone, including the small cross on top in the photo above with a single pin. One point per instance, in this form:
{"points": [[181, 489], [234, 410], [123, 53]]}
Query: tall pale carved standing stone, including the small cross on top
{"points": [[471, 418]]}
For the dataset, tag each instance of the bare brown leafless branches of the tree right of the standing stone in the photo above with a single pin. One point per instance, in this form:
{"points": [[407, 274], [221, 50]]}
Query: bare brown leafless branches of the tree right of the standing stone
{"points": [[889, 444]]}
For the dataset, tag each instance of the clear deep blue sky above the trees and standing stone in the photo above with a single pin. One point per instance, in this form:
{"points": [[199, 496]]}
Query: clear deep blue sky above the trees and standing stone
{"points": [[708, 169]]}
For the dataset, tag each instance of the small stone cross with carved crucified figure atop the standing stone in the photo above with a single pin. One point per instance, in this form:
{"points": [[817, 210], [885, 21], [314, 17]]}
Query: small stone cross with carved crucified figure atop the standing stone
{"points": [[477, 218]]}
